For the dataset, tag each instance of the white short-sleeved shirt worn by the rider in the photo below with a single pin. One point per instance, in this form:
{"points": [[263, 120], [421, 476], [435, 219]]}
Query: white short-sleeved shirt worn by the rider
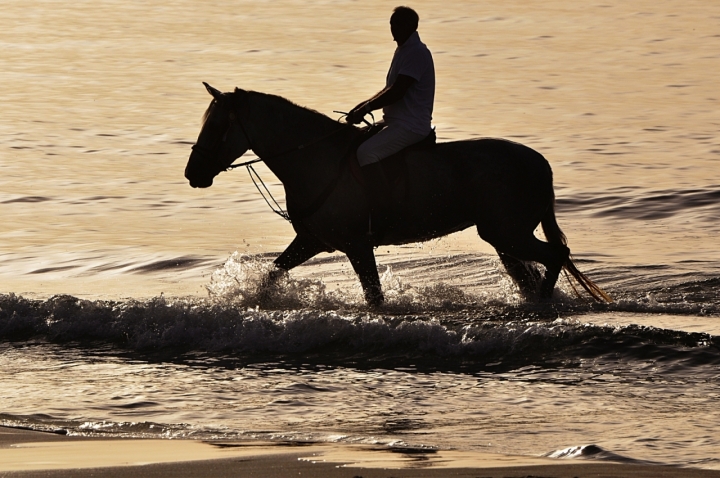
{"points": [[414, 110]]}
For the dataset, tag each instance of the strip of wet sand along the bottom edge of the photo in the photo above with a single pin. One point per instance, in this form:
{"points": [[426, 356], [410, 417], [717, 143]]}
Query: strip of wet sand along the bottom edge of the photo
{"points": [[27, 453]]}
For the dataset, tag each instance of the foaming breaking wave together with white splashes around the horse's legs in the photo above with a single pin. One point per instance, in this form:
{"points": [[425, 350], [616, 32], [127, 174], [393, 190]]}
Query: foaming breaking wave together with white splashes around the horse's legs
{"points": [[302, 317]]}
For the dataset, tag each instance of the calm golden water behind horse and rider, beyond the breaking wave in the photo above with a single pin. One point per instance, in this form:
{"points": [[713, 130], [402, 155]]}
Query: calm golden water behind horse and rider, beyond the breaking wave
{"points": [[102, 99]]}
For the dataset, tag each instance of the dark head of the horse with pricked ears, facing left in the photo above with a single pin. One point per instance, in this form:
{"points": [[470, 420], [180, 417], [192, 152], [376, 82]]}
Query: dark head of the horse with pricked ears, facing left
{"points": [[221, 141]]}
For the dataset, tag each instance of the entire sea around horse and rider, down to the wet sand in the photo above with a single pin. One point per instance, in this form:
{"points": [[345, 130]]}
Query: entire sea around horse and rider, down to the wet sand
{"points": [[129, 302]]}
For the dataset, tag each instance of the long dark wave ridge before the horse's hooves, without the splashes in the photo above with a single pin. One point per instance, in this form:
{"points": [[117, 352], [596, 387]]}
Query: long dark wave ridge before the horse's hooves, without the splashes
{"points": [[161, 324]]}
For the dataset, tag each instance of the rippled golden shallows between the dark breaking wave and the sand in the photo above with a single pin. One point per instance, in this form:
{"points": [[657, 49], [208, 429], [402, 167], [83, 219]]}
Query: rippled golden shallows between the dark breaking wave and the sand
{"points": [[533, 409]]}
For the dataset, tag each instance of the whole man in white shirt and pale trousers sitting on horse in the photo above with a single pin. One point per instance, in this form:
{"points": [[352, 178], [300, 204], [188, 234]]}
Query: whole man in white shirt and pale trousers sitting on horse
{"points": [[407, 102]]}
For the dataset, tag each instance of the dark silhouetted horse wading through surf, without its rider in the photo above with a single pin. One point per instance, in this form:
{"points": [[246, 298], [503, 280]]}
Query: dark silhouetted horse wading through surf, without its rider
{"points": [[501, 187]]}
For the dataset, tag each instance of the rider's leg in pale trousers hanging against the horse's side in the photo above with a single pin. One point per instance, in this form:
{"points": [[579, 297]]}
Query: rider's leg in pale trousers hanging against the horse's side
{"points": [[378, 190]]}
